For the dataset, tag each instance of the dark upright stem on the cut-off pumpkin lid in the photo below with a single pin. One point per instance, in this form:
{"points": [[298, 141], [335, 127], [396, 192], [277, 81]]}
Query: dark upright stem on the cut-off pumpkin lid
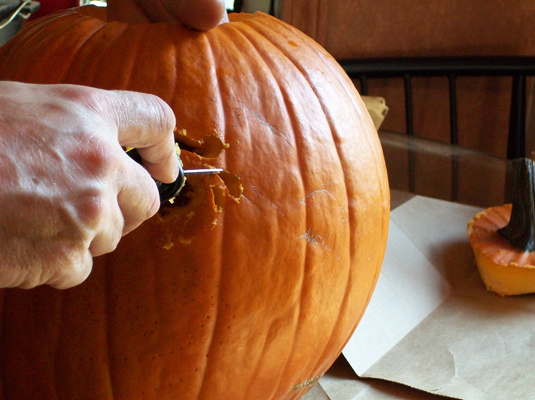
{"points": [[520, 232]]}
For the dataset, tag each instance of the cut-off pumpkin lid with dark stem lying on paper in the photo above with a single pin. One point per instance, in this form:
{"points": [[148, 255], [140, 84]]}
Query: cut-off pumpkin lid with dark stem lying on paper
{"points": [[503, 238]]}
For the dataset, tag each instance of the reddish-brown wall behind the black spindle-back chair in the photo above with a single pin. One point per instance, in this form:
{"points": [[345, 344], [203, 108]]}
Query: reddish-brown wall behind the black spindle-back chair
{"points": [[390, 28]]}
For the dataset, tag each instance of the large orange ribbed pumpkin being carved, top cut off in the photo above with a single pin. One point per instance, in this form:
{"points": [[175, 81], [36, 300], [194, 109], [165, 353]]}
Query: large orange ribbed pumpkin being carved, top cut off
{"points": [[251, 285]]}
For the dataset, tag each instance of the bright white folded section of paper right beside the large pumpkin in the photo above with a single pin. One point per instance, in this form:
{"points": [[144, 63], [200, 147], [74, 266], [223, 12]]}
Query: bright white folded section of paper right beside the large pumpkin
{"points": [[392, 312]]}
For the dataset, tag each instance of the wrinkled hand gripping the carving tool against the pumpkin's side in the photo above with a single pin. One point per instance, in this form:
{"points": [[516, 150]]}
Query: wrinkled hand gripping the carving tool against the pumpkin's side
{"points": [[68, 191]]}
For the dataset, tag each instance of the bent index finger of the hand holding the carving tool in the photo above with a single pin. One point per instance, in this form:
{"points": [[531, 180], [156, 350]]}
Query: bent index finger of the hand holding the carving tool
{"points": [[147, 123]]}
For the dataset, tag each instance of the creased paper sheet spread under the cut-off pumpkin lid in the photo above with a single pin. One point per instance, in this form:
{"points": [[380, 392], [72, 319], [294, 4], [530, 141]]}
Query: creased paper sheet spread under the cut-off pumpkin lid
{"points": [[432, 325]]}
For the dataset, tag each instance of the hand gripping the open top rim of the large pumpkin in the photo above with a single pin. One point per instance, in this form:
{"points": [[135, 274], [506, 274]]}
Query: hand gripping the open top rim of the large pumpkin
{"points": [[197, 14]]}
